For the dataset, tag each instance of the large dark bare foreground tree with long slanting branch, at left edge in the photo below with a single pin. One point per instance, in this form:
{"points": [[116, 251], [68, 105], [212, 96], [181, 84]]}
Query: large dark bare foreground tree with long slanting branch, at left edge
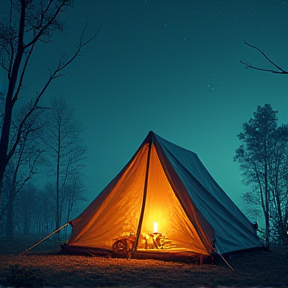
{"points": [[29, 23]]}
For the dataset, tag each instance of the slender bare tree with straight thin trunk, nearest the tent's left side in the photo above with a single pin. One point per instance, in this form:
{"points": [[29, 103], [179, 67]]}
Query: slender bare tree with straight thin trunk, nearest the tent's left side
{"points": [[62, 136]]}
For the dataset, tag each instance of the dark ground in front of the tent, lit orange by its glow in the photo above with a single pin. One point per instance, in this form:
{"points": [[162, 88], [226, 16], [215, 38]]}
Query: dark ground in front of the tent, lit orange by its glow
{"points": [[44, 267]]}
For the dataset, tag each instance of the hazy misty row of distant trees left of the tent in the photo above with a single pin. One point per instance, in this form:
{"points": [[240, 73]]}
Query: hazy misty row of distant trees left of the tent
{"points": [[43, 180]]}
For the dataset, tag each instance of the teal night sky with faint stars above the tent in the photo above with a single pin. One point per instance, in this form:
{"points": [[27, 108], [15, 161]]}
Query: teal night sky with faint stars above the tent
{"points": [[171, 67]]}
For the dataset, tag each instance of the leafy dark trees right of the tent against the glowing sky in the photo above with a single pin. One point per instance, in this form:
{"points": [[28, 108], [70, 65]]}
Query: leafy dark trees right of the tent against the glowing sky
{"points": [[263, 157]]}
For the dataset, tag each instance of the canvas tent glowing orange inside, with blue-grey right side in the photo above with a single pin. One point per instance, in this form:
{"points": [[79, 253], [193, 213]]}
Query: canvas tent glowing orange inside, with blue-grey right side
{"points": [[163, 200]]}
